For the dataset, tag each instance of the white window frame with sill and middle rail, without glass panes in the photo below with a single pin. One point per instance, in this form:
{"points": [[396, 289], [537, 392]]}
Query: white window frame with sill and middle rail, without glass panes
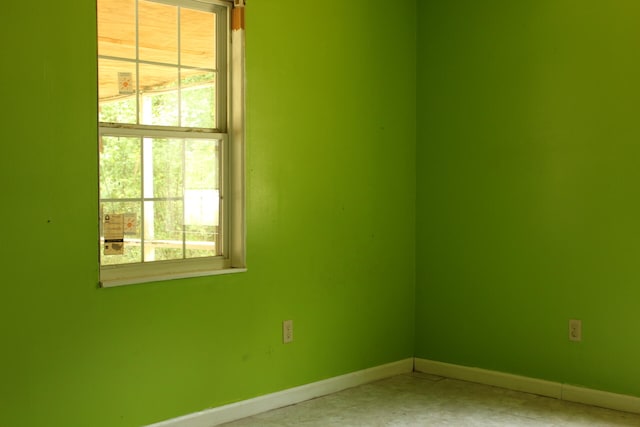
{"points": [[231, 133]]}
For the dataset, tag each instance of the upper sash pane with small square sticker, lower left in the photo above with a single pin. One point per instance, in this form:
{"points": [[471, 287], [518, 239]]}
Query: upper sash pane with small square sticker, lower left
{"points": [[116, 91]]}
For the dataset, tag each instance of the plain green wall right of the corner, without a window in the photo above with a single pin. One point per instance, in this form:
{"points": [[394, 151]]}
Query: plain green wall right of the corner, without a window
{"points": [[528, 201]]}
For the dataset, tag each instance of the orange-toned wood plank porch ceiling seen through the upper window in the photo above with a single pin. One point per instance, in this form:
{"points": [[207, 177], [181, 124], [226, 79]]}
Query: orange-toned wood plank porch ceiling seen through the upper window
{"points": [[166, 35]]}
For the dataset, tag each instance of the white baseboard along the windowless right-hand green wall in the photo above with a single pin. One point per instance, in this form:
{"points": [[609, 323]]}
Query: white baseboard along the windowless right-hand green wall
{"points": [[553, 389]]}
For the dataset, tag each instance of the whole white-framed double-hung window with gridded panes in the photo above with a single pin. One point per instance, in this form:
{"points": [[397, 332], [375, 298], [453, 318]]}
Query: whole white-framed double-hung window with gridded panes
{"points": [[170, 89]]}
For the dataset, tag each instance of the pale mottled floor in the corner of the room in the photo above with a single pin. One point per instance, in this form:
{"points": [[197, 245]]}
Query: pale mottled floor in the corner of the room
{"points": [[427, 400]]}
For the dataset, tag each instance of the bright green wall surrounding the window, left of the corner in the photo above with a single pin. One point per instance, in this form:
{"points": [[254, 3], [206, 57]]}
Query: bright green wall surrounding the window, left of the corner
{"points": [[330, 164]]}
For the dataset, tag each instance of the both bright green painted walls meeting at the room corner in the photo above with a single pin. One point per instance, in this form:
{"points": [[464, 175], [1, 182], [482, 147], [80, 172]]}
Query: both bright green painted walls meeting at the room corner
{"points": [[496, 192]]}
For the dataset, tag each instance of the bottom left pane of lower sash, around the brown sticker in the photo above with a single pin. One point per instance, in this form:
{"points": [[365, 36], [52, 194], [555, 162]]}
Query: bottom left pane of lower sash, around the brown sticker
{"points": [[132, 251]]}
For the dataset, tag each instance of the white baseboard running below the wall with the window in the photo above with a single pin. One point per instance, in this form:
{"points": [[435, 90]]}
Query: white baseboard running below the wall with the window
{"points": [[246, 408]]}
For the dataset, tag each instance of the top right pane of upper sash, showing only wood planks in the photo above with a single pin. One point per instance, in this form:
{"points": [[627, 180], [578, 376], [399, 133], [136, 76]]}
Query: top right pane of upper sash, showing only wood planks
{"points": [[197, 43]]}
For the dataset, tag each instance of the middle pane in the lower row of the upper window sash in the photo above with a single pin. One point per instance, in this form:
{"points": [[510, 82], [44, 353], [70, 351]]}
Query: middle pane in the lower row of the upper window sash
{"points": [[158, 95]]}
